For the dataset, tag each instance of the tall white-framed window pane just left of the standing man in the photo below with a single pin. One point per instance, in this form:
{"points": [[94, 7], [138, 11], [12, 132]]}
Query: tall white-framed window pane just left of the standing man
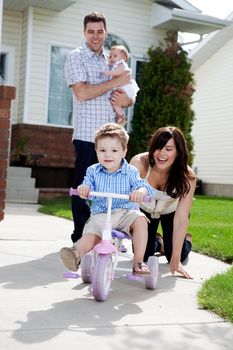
{"points": [[60, 96]]}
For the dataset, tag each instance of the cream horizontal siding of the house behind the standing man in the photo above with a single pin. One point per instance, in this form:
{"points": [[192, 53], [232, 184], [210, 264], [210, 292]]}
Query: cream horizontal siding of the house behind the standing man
{"points": [[129, 19]]}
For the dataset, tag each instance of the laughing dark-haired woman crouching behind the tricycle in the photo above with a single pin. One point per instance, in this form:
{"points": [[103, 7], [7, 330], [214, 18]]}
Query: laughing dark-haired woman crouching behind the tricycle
{"points": [[165, 167]]}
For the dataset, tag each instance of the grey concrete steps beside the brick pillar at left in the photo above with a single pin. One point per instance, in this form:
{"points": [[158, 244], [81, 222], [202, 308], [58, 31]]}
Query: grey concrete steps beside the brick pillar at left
{"points": [[20, 186]]}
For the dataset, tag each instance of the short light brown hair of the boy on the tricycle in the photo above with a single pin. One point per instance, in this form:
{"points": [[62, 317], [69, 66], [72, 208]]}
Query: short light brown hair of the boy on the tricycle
{"points": [[112, 130]]}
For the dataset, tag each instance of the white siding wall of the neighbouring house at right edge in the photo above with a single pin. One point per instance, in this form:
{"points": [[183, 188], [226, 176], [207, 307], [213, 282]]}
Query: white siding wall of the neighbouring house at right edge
{"points": [[213, 127]]}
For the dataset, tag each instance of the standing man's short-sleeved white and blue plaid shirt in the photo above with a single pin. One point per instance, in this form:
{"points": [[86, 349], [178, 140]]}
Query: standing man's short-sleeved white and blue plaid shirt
{"points": [[83, 65]]}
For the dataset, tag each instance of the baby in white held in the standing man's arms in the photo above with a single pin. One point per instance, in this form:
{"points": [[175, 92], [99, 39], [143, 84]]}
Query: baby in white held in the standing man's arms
{"points": [[118, 58]]}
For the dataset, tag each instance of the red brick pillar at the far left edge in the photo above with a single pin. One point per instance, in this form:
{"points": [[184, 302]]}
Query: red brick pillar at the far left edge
{"points": [[7, 93]]}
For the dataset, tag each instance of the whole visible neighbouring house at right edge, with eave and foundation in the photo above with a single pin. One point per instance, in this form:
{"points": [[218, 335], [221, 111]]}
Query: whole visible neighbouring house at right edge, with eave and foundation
{"points": [[213, 107]]}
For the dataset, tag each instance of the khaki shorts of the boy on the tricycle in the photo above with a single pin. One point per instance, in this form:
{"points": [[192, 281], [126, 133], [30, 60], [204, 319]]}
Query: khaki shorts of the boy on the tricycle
{"points": [[121, 220]]}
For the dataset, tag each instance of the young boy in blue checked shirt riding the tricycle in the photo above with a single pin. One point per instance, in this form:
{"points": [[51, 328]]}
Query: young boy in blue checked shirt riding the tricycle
{"points": [[112, 174]]}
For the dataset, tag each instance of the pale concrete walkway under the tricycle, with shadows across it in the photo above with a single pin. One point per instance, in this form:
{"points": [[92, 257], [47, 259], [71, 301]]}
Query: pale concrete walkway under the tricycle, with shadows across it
{"points": [[42, 310]]}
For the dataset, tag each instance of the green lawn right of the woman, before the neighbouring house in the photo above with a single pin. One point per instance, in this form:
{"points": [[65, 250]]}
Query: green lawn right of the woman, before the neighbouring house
{"points": [[211, 223]]}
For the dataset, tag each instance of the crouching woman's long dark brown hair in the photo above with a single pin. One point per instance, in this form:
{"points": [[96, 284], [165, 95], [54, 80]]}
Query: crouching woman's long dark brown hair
{"points": [[178, 179]]}
